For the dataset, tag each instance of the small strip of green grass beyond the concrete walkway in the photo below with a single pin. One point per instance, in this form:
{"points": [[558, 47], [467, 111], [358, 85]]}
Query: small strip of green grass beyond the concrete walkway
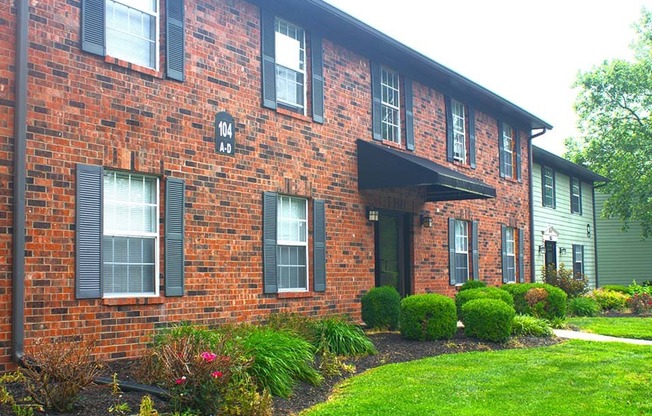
{"points": [[639, 328]]}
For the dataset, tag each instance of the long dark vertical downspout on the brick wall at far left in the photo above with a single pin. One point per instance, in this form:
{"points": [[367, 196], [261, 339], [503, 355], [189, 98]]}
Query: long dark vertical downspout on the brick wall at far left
{"points": [[20, 175]]}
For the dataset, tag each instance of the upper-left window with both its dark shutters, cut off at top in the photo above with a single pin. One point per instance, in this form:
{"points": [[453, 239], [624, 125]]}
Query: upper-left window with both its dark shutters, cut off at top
{"points": [[129, 30]]}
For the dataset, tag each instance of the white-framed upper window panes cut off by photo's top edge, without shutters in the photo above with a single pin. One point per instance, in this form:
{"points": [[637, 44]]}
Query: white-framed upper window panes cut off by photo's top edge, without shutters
{"points": [[132, 31]]}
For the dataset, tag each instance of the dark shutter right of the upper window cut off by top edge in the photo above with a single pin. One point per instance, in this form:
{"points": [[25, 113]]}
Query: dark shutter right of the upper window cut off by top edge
{"points": [[175, 39]]}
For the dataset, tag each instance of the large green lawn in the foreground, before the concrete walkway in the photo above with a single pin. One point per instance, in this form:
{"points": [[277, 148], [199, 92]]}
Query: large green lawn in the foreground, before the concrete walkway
{"points": [[574, 378]]}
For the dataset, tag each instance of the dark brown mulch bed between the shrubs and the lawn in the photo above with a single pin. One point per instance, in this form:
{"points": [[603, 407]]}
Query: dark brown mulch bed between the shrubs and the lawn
{"points": [[96, 399]]}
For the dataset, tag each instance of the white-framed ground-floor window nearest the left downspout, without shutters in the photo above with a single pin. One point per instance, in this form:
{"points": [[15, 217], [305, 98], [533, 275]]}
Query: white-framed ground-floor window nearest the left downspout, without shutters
{"points": [[131, 237]]}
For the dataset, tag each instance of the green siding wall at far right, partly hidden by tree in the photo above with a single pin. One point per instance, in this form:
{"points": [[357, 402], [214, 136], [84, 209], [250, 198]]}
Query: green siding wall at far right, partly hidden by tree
{"points": [[622, 255]]}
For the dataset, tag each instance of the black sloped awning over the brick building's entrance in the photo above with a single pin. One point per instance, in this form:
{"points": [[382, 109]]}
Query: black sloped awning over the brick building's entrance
{"points": [[384, 167]]}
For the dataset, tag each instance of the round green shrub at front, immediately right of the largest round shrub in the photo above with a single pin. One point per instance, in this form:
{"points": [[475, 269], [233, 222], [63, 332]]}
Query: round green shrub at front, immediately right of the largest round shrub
{"points": [[488, 319]]}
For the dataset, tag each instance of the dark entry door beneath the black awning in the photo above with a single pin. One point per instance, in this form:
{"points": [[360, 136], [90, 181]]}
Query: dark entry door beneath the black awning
{"points": [[392, 248]]}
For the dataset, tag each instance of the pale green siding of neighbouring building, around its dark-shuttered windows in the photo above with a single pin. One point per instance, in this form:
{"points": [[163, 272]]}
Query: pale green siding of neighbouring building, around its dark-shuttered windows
{"points": [[571, 227]]}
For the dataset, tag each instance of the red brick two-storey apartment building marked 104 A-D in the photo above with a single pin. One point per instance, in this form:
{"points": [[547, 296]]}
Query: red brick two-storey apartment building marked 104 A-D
{"points": [[214, 161]]}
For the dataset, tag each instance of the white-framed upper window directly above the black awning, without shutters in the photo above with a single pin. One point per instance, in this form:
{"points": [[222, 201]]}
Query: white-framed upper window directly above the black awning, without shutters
{"points": [[390, 106]]}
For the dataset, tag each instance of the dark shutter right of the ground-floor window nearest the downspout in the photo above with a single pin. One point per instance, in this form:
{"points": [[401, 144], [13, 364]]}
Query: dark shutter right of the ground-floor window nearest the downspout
{"points": [[174, 236]]}
